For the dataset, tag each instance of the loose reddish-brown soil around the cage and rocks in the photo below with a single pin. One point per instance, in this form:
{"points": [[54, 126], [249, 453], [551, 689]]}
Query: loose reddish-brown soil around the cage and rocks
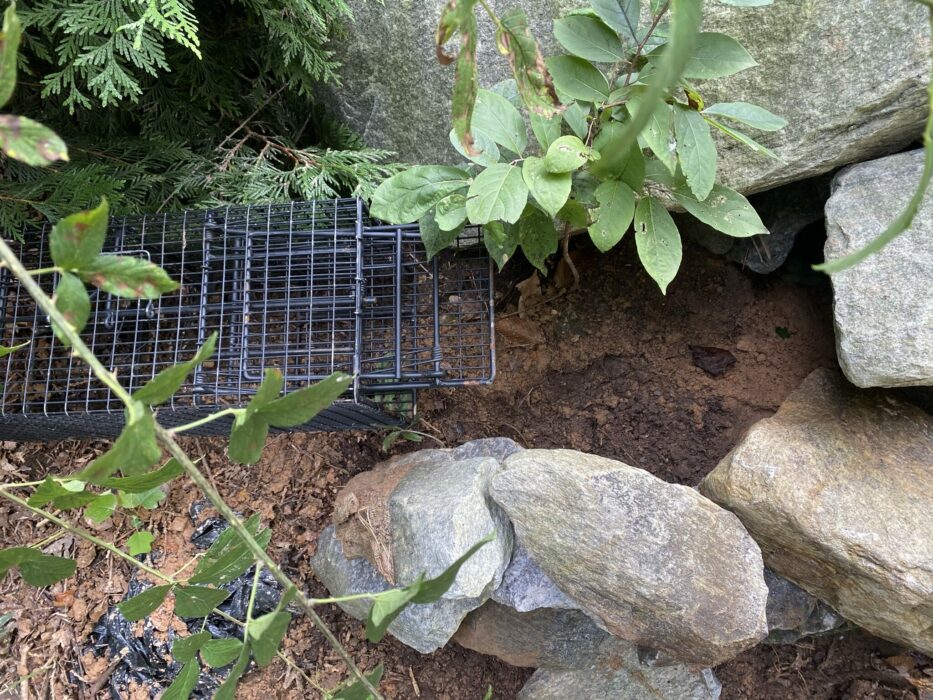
{"points": [[607, 368]]}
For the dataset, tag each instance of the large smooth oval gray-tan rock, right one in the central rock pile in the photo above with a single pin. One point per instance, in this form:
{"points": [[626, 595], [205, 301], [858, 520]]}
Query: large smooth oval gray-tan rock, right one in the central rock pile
{"points": [[656, 563]]}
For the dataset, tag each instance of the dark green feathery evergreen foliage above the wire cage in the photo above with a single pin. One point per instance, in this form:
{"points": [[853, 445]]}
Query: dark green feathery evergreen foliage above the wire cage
{"points": [[175, 103]]}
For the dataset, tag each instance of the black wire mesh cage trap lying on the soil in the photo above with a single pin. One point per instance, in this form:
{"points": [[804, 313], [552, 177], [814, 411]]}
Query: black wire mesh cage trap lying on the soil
{"points": [[309, 288]]}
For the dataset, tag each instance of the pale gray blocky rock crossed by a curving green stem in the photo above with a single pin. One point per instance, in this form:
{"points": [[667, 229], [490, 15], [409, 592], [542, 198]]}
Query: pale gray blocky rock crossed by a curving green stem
{"points": [[883, 307]]}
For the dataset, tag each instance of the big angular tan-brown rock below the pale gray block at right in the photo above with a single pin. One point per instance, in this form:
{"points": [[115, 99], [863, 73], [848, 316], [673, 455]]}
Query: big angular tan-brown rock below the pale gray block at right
{"points": [[837, 490]]}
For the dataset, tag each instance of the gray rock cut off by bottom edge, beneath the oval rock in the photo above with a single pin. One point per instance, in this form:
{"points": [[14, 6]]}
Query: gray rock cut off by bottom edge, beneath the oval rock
{"points": [[629, 682]]}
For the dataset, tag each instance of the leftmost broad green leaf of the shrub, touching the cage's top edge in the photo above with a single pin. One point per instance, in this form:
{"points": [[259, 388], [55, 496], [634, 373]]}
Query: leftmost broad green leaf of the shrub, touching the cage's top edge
{"points": [[405, 197]]}
